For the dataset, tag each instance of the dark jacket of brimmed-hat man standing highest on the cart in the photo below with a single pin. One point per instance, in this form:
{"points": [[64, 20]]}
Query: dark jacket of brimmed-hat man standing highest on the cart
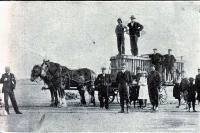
{"points": [[135, 29]]}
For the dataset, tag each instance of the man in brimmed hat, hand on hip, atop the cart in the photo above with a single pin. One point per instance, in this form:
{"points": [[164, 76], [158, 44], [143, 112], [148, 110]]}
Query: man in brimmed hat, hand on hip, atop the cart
{"points": [[134, 33]]}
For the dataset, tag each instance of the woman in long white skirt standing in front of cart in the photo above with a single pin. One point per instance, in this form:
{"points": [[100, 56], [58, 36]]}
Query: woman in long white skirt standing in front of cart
{"points": [[143, 91]]}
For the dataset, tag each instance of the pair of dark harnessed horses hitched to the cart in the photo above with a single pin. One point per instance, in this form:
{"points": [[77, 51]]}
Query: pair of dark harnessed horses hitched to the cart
{"points": [[59, 78]]}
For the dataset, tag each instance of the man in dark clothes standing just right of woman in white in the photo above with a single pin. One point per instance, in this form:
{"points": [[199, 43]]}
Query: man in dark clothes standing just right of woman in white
{"points": [[153, 81]]}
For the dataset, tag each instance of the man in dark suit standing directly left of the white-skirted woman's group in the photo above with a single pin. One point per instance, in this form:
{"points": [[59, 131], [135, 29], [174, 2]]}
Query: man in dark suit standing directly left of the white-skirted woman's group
{"points": [[123, 80]]}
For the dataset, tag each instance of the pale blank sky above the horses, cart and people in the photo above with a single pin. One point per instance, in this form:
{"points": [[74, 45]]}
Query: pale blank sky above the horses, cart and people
{"points": [[64, 32]]}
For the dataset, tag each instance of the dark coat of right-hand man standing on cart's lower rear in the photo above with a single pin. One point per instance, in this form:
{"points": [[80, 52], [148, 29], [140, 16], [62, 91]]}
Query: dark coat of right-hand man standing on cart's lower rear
{"points": [[169, 61]]}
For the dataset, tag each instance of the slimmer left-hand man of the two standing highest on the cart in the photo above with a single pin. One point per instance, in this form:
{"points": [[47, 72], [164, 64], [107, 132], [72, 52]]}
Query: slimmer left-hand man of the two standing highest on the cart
{"points": [[119, 30]]}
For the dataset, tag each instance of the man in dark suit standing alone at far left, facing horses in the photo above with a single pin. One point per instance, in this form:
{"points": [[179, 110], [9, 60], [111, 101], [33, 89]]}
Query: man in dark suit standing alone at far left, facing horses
{"points": [[9, 83]]}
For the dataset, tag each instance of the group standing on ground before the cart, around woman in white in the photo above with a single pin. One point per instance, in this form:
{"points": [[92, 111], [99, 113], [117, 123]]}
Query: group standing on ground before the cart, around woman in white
{"points": [[131, 87]]}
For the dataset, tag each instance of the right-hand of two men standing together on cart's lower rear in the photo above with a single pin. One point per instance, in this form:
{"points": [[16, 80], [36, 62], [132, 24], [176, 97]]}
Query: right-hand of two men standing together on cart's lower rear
{"points": [[168, 65]]}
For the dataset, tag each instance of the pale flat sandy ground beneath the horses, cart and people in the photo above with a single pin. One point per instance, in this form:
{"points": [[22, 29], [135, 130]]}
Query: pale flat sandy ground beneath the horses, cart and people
{"points": [[39, 117]]}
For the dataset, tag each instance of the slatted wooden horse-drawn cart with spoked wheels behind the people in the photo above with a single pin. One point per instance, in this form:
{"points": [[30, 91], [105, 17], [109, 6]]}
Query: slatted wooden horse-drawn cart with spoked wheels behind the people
{"points": [[144, 63]]}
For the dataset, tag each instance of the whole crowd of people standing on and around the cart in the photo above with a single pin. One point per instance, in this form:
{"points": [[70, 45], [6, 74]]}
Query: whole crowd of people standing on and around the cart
{"points": [[132, 88]]}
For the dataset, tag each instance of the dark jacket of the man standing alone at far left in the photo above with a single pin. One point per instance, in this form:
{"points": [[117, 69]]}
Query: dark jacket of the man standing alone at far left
{"points": [[9, 84]]}
